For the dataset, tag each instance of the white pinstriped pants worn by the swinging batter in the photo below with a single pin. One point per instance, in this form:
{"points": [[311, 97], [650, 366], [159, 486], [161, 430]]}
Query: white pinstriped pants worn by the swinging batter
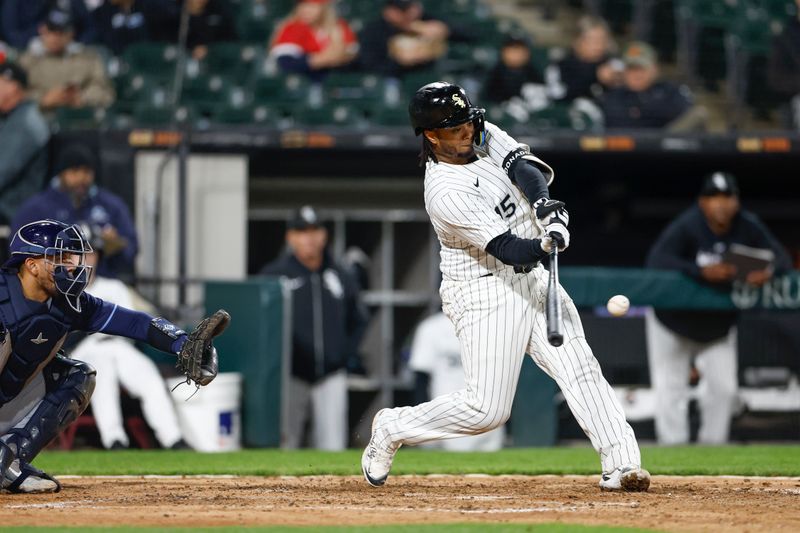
{"points": [[498, 319]]}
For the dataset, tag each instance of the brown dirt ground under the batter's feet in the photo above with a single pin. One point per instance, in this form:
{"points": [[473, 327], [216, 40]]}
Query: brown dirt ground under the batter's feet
{"points": [[673, 504]]}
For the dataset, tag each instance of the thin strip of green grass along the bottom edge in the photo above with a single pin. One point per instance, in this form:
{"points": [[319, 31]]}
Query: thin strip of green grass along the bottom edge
{"points": [[428, 528]]}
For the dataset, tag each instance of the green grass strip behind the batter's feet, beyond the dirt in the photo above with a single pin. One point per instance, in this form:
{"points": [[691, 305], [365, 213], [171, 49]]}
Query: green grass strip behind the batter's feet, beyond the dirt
{"points": [[695, 460]]}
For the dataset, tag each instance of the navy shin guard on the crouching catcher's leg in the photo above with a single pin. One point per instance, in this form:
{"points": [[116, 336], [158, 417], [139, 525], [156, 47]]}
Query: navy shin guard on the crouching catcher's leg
{"points": [[69, 385]]}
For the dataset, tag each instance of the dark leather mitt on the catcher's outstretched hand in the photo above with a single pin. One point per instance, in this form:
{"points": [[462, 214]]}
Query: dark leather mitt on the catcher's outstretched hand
{"points": [[198, 357]]}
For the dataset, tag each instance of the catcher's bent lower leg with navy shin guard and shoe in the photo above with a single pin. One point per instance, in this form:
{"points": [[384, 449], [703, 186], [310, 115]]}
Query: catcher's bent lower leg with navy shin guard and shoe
{"points": [[69, 385]]}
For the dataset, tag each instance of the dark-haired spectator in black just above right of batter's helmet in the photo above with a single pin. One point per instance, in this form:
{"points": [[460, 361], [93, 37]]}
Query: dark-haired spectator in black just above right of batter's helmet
{"points": [[513, 71]]}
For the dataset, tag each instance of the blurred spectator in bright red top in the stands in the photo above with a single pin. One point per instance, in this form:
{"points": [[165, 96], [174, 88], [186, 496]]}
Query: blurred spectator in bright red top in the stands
{"points": [[313, 40]]}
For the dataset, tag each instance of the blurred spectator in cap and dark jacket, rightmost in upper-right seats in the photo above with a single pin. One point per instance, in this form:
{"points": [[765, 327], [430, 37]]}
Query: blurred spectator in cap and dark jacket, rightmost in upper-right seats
{"points": [[645, 102]]}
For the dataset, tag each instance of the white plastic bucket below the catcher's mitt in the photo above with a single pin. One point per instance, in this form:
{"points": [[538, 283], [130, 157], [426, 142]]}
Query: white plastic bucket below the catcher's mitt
{"points": [[211, 420]]}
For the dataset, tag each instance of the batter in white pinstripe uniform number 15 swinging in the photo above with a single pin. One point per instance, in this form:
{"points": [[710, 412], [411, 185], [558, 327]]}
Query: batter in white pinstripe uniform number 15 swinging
{"points": [[489, 204]]}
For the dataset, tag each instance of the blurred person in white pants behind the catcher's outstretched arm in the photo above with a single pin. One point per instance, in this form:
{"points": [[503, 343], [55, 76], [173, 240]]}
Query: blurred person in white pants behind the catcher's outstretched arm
{"points": [[120, 364]]}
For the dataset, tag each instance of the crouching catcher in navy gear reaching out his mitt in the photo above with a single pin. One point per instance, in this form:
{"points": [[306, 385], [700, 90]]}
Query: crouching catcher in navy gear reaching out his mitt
{"points": [[41, 301]]}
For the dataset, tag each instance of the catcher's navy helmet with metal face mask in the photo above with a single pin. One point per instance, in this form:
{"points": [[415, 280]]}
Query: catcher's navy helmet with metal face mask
{"points": [[54, 240]]}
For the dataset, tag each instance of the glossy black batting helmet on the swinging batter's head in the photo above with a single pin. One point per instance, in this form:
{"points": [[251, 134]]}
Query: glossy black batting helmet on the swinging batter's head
{"points": [[442, 105]]}
